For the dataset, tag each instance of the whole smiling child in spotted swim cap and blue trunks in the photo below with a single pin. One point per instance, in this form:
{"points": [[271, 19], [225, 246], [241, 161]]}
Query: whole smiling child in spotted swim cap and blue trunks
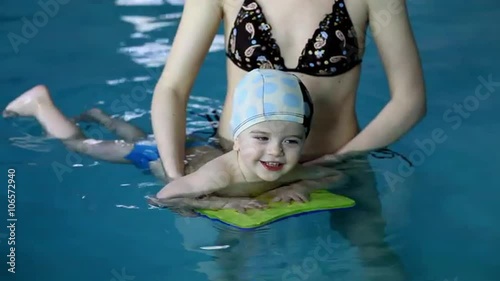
{"points": [[269, 129]]}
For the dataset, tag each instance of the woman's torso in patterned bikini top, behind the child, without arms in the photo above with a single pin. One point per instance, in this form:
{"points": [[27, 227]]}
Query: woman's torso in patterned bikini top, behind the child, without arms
{"points": [[293, 23]]}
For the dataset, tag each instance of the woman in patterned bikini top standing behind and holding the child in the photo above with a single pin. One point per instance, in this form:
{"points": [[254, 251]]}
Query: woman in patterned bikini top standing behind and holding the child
{"points": [[325, 52]]}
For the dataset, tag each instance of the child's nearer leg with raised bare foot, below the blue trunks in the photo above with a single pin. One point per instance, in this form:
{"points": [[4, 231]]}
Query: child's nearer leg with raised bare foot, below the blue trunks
{"points": [[37, 103]]}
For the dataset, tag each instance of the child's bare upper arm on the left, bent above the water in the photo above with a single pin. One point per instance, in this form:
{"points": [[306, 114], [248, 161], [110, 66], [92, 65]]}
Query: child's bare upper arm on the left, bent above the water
{"points": [[211, 177]]}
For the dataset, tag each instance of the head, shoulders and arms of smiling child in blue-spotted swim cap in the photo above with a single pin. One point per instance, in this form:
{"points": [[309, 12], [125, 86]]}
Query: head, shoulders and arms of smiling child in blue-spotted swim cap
{"points": [[270, 125]]}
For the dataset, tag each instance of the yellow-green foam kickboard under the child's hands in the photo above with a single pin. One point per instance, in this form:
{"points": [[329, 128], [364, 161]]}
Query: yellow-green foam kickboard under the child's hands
{"points": [[320, 200]]}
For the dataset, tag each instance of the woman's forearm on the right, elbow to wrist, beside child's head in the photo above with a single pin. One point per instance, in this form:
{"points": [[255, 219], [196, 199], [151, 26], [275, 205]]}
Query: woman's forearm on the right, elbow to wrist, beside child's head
{"points": [[395, 120]]}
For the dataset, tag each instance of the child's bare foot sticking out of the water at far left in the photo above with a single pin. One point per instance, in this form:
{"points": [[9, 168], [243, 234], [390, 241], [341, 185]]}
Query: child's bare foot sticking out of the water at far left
{"points": [[27, 103]]}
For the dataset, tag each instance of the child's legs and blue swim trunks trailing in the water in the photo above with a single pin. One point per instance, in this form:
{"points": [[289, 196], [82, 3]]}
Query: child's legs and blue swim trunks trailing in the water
{"points": [[134, 147]]}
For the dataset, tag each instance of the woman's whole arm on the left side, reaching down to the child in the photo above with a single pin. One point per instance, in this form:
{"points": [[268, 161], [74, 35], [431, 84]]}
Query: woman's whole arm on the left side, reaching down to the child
{"points": [[198, 26]]}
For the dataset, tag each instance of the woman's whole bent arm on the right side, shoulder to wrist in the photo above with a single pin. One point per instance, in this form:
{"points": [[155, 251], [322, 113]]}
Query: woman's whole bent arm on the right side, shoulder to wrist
{"points": [[399, 54]]}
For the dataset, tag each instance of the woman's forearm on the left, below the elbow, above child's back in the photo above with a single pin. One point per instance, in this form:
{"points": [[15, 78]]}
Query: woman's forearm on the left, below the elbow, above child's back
{"points": [[168, 117]]}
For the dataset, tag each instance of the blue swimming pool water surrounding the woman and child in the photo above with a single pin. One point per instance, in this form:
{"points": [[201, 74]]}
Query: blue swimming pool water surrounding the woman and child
{"points": [[84, 220]]}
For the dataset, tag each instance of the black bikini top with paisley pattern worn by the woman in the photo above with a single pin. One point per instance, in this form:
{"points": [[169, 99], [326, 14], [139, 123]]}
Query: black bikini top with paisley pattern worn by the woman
{"points": [[332, 50]]}
